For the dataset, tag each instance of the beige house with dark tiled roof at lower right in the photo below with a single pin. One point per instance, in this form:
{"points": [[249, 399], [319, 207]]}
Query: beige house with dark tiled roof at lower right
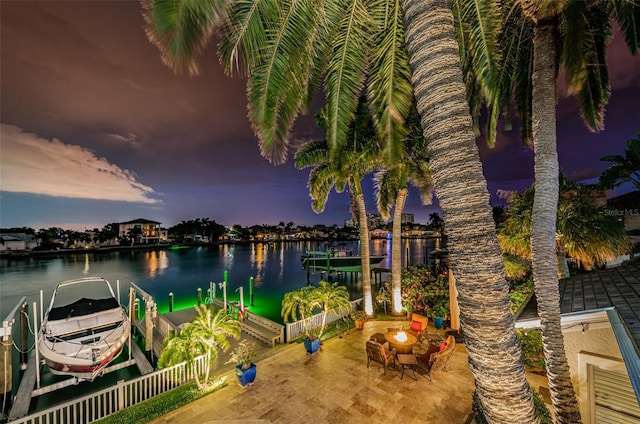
{"points": [[600, 319]]}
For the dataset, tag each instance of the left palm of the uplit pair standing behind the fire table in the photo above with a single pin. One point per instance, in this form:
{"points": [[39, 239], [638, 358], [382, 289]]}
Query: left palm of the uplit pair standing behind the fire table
{"points": [[341, 171]]}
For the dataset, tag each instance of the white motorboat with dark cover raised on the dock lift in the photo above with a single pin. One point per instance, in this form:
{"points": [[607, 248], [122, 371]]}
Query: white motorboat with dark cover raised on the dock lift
{"points": [[84, 329]]}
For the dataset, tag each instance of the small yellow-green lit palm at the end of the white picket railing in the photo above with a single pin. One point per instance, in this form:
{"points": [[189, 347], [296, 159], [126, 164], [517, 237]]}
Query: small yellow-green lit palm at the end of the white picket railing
{"points": [[204, 335]]}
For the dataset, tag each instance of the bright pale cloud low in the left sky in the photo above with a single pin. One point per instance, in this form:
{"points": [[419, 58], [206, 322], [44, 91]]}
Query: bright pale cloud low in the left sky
{"points": [[31, 164]]}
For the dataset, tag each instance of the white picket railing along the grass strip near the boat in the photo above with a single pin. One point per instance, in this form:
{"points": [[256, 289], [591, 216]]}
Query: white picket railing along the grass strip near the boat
{"points": [[111, 400]]}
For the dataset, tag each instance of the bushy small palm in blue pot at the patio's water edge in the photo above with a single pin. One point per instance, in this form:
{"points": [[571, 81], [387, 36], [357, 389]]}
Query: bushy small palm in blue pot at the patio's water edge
{"points": [[300, 305]]}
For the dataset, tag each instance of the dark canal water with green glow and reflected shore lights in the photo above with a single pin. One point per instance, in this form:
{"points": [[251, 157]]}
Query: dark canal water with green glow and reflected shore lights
{"points": [[275, 268]]}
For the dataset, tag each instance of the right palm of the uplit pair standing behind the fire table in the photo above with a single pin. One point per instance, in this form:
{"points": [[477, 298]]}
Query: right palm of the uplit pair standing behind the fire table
{"points": [[391, 187]]}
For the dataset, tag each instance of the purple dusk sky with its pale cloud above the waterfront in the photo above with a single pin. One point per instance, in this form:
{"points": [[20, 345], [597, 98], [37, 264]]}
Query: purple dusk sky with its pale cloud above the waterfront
{"points": [[95, 129]]}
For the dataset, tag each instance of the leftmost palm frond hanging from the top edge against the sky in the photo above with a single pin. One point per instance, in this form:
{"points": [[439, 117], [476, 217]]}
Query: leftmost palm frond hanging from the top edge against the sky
{"points": [[181, 30]]}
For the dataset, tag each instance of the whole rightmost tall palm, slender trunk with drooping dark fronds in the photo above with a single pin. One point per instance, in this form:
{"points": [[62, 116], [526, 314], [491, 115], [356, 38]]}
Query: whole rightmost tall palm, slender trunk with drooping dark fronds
{"points": [[540, 37]]}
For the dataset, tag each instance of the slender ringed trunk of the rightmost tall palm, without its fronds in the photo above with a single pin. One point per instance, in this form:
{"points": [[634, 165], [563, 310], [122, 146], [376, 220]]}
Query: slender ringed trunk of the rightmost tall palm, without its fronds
{"points": [[543, 223]]}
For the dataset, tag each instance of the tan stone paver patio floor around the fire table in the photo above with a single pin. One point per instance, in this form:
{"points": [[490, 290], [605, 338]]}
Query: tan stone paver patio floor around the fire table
{"points": [[335, 386]]}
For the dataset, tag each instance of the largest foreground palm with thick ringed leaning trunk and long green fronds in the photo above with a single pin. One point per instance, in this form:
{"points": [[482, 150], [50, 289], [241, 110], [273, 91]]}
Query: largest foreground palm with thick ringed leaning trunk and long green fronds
{"points": [[288, 48]]}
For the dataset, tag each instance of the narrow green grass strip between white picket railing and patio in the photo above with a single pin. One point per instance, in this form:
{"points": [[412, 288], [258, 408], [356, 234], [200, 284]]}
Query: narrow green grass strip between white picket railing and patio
{"points": [[161, 404]]}
